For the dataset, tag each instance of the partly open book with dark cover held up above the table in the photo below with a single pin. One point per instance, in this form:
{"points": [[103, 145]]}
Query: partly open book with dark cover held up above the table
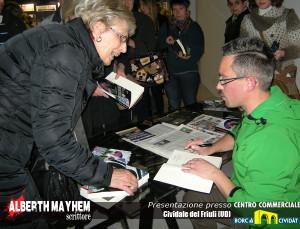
{"points": [[122, 90]]}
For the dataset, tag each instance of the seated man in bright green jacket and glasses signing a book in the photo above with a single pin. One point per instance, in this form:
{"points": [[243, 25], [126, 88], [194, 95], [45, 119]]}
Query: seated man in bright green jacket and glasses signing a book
{"points": [[266, 154]]}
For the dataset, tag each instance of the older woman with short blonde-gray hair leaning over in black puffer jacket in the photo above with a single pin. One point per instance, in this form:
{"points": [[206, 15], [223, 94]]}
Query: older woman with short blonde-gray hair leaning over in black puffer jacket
{"points": [[46, 84]]}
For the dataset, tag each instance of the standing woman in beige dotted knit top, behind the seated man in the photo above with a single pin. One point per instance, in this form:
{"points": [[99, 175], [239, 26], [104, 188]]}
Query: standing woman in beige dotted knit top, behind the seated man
{"points": [[277, 26]]}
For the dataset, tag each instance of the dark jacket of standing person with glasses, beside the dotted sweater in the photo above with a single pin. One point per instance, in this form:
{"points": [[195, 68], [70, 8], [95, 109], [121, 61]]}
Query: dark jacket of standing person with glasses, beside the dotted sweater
{"points": [[232, 30]]}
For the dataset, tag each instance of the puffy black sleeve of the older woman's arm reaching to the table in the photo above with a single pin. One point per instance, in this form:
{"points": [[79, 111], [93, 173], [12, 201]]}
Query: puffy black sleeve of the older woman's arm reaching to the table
{"points": [[55, 78]]}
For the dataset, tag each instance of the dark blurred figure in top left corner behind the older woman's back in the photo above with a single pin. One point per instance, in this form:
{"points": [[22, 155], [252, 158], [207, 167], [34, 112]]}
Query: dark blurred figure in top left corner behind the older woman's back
{"points": [[10, 25]]}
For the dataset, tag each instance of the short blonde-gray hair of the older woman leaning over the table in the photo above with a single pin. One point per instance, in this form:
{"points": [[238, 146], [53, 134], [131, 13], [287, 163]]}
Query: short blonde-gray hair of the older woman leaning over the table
{"points": [[106, 11]]}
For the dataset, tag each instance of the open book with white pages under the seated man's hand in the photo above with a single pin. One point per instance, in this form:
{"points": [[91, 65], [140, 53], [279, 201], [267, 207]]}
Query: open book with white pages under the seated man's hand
{"points": [[171, 173]]}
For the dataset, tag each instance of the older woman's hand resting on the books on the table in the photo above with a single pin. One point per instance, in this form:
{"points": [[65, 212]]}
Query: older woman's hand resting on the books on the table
{"points": [[124, 180]]}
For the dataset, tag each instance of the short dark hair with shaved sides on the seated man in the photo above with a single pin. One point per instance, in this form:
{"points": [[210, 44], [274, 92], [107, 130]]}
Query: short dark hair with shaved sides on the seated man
{"points": [[254, 58]]}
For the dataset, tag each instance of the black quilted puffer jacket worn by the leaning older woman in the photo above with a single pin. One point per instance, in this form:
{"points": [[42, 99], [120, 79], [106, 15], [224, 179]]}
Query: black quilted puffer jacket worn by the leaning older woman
{"points": [[46, 77]]}
